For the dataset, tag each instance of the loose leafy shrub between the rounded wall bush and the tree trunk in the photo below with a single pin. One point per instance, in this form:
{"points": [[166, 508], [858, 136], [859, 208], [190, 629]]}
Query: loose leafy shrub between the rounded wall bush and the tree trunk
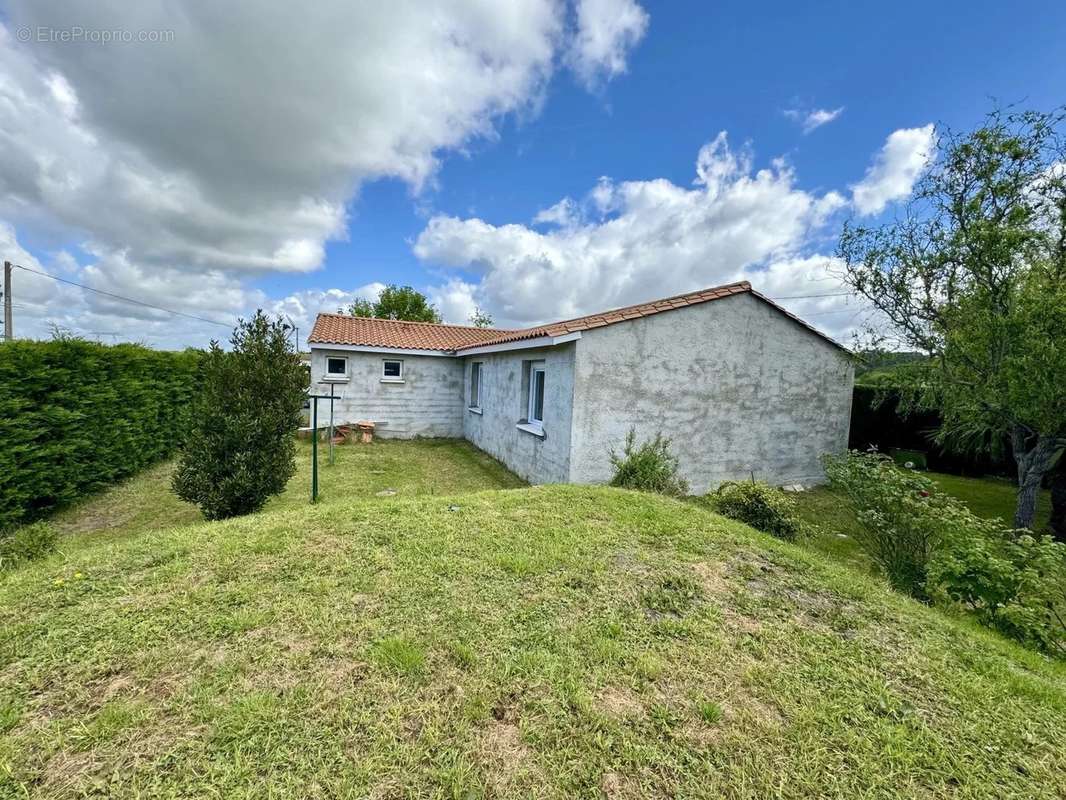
{"points": [[902, 518]]}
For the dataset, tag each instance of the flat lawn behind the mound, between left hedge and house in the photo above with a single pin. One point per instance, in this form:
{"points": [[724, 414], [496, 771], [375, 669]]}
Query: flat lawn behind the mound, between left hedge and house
{"points": [[405, 468]]}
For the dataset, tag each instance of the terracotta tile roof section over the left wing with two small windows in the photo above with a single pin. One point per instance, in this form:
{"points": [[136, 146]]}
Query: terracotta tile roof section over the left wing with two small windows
{"points": [[343, 329]]}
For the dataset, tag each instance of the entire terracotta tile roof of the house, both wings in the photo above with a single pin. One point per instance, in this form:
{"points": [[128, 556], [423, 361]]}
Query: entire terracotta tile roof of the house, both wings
{"points": [[341, 329]]}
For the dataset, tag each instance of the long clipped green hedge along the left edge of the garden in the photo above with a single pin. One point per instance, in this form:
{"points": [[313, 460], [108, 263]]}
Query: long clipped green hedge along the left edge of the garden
{"points": [[76, 417]]}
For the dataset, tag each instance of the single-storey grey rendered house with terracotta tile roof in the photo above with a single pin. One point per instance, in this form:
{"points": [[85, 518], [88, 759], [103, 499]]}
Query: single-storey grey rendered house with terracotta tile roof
{"points": [[740, 387]]}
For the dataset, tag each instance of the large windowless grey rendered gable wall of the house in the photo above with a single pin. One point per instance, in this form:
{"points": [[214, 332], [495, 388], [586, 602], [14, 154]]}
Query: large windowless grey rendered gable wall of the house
{"points": [[736, 385]]}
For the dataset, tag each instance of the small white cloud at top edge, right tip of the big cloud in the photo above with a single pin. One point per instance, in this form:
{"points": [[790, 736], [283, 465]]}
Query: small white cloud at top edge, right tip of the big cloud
{"points": [[607, 31]]}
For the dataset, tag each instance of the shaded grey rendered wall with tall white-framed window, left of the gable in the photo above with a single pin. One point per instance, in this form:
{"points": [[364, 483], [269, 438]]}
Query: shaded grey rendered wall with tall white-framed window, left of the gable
{"points": [[505, 404]]}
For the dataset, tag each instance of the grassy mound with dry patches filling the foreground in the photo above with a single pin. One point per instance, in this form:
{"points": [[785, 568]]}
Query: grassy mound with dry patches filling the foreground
{"points": [[537, 643]]}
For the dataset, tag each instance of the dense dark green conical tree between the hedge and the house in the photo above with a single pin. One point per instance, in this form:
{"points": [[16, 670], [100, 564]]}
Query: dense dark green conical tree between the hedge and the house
{"points": [[241, 446]]}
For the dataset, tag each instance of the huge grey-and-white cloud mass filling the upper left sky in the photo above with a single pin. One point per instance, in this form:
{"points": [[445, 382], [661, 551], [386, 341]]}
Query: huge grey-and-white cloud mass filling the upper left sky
{"points": [[185, 168]]}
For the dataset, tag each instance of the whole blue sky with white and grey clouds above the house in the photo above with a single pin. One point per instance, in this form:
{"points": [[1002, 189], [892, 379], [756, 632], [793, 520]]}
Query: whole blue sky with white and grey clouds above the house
{"points": [[538, 159]]}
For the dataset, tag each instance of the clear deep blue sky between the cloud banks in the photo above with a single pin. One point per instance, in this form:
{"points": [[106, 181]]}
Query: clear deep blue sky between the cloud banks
{"points": [[707, 68]]}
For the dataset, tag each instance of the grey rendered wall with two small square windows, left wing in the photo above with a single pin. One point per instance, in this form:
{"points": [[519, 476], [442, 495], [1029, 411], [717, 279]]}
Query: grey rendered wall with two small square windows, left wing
{"points": [[428, 404]]}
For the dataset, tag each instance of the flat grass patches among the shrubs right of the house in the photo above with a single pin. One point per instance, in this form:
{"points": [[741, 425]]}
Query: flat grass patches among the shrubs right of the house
{"points": [[835, 523]]}
